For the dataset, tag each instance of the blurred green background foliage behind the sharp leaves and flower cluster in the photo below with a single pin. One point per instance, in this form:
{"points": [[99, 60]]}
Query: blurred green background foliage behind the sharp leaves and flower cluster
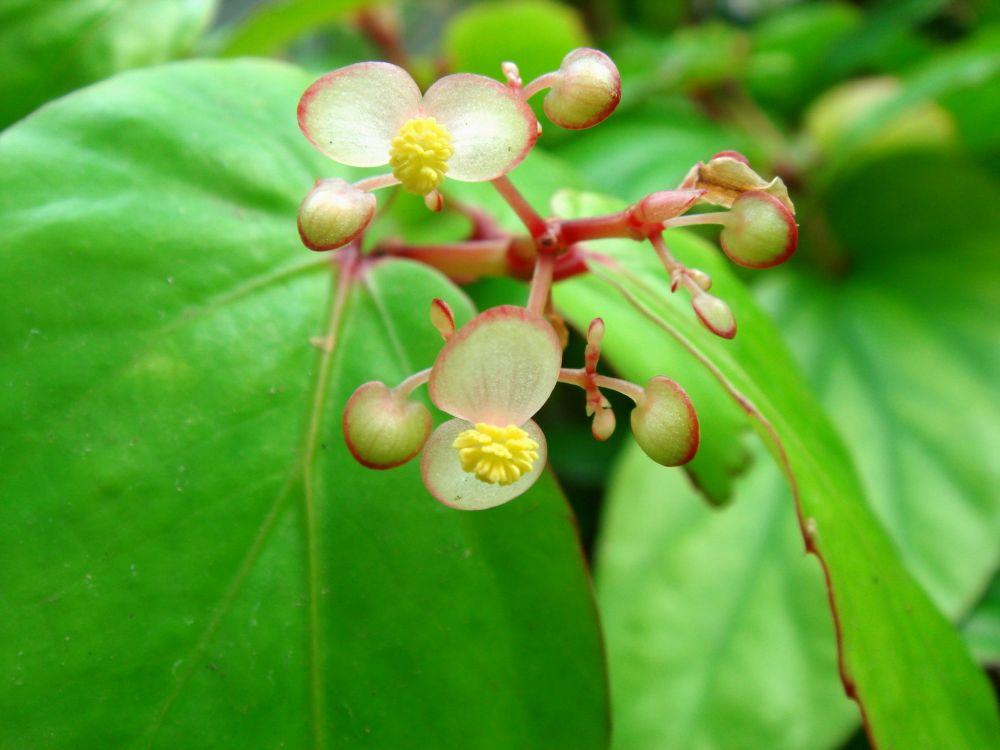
{"points": [[882, 117]]}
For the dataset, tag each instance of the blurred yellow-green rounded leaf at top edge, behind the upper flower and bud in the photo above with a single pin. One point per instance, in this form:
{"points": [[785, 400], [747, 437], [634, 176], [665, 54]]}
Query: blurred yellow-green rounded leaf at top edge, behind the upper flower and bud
{"points": [[535, 34]]}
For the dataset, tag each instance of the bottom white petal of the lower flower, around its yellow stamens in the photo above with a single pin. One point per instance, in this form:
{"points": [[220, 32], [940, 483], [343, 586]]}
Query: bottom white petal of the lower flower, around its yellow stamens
{"points": [[445, 479]]}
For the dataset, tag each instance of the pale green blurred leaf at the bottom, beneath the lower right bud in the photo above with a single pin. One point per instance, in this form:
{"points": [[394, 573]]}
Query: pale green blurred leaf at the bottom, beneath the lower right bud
{"points": [[705, 608]]}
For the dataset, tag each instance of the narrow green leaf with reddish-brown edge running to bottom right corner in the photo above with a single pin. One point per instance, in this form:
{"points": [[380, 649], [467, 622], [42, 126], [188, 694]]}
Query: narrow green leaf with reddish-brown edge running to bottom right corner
{"points": [[912, 676]]}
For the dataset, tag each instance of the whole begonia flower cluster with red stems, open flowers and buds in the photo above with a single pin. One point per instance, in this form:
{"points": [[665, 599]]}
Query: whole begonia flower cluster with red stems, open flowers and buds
{"points": [[493, 374]]}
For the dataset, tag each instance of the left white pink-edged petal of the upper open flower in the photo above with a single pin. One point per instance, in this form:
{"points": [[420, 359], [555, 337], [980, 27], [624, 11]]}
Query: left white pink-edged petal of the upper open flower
{"points": [[353, 113]]}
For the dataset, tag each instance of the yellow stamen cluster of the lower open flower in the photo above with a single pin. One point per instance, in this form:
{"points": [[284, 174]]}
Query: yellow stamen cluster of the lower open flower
{"points": [[496, 455]]}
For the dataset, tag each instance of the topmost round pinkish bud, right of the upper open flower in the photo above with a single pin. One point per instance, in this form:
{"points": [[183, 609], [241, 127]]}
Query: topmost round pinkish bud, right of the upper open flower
{"points": [[587, 89]]}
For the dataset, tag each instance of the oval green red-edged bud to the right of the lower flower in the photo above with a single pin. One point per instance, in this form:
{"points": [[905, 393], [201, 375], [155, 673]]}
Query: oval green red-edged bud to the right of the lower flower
{"points": [[664, 423]]}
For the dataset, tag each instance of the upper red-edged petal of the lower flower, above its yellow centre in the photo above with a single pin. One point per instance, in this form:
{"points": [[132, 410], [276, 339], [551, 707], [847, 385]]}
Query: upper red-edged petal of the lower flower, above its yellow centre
{"points": [[499, 368]]}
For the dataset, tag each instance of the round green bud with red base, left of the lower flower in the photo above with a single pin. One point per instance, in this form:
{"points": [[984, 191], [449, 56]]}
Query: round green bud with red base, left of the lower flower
{"points": [[382, 428]]}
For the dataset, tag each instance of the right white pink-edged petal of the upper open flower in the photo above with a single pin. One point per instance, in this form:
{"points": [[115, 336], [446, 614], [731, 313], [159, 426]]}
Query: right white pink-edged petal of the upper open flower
{"points": [[491, 127]]}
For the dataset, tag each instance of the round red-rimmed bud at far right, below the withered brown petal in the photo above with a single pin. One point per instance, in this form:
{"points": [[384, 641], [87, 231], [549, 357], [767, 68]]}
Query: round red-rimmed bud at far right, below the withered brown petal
{"points": [[760, 232]]}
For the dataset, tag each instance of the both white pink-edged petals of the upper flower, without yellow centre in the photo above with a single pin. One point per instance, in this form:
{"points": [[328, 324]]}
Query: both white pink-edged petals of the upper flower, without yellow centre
{"points": [[353, 114]]}
